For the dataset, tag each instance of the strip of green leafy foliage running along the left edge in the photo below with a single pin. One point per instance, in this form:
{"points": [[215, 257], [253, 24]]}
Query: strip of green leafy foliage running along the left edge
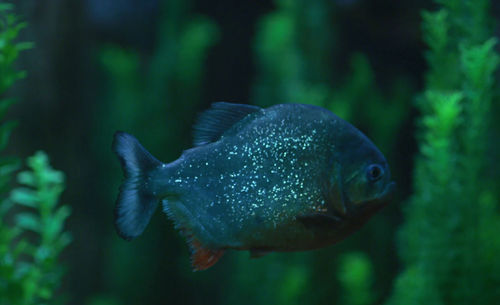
{"points": [[29, 247]]}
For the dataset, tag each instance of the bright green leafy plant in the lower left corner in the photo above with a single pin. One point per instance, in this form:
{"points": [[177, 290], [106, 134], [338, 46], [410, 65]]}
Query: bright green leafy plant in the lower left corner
{"points": [[29, 270]]}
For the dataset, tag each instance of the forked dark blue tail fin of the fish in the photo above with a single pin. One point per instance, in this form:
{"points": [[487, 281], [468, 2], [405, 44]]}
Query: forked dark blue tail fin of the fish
{"points": [[136, 202]]}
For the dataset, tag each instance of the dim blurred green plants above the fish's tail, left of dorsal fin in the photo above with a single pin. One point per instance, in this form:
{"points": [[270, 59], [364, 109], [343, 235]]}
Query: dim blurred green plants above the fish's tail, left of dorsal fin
{"points": [[168, 82]]}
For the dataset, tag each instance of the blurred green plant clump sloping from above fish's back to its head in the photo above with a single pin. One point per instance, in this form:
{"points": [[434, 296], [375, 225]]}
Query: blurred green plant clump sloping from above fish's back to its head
{"points": [[295, 50]]}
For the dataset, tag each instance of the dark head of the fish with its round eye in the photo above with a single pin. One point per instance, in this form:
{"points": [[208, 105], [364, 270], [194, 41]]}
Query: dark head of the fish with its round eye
{"points": [[364, 177]]}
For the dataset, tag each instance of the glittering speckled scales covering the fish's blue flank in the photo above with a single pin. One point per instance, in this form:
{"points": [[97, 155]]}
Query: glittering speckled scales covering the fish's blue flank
{"points": [[268, 182]]}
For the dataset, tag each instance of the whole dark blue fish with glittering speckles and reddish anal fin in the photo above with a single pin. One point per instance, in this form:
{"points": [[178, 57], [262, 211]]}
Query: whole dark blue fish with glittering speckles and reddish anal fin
{"points": [[290, 177]]}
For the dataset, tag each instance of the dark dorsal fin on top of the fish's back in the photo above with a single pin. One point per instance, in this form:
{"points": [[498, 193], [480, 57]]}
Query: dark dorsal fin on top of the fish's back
{"points": [[218, 119]]}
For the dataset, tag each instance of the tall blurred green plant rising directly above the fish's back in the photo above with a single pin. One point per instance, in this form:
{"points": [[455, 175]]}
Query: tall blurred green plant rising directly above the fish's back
{"points": [[294, 47]]}
